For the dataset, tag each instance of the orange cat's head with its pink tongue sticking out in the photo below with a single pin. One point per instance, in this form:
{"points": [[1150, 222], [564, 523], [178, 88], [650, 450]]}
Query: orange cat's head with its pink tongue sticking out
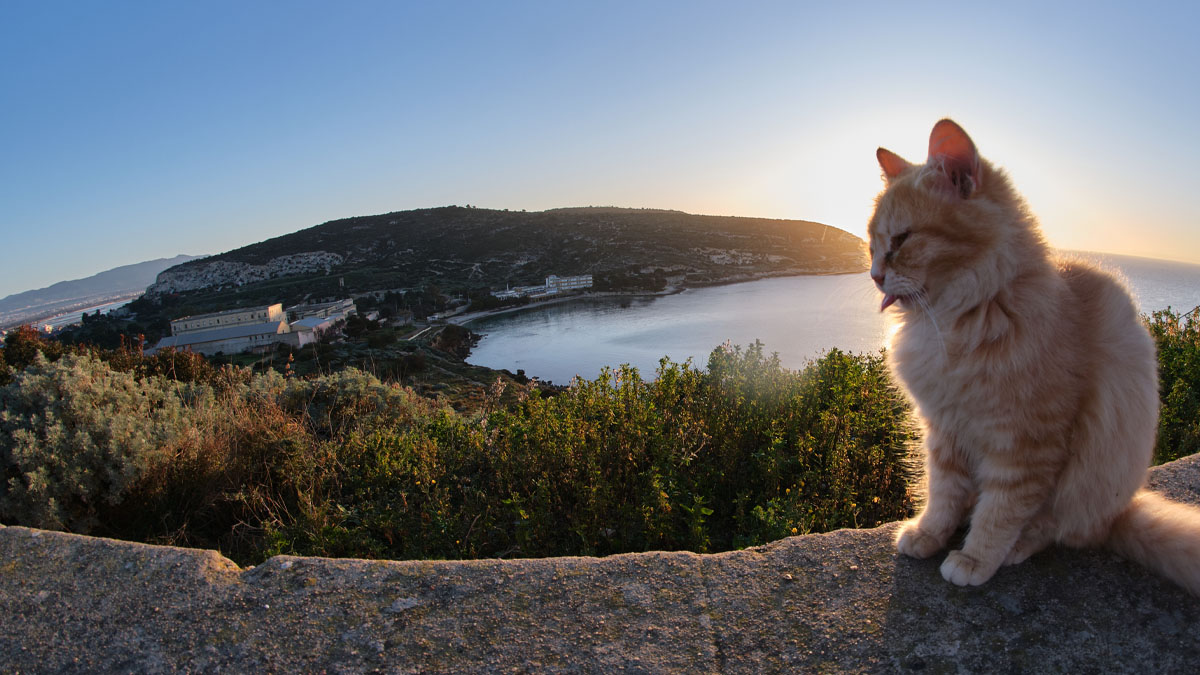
{"points": [[950, 231]]}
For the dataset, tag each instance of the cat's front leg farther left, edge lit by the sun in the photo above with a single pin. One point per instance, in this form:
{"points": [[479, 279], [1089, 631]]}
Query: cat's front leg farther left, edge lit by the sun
{"points": [[951, 493]]}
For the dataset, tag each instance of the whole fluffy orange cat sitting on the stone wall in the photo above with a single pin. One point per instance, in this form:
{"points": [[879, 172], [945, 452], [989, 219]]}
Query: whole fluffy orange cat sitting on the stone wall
{"points": [[1034, 378]]}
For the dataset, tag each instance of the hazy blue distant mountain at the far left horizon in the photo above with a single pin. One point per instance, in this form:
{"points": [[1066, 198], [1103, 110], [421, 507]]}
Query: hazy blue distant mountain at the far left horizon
{"points": [[67, 296]]}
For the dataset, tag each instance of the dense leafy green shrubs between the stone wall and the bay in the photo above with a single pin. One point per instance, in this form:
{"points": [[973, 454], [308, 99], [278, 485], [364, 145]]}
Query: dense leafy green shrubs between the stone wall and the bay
{"points": [[741, 455]]}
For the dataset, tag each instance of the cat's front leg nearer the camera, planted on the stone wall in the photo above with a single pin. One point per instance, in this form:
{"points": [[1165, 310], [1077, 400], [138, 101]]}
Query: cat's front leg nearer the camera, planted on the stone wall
{"points": [[1007, 505]]}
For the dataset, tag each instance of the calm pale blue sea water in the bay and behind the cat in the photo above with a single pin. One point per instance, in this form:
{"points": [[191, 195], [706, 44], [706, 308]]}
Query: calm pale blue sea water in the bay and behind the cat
{"points": [[799, 316]]}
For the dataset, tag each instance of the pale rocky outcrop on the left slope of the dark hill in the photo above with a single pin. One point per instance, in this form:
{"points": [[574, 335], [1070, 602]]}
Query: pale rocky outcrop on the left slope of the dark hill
{"points": [[206, 274]]}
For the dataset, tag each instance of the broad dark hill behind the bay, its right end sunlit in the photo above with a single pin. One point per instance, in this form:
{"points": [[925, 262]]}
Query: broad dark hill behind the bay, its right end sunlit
{"points": [[457, 249]]}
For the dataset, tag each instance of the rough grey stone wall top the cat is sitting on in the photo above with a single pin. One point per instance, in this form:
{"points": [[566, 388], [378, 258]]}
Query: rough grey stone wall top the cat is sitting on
{"points": [[838, 602]]}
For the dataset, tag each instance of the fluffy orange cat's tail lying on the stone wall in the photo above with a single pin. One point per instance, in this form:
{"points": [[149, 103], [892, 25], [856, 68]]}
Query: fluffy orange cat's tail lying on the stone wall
{"points": [[1163, 536]]}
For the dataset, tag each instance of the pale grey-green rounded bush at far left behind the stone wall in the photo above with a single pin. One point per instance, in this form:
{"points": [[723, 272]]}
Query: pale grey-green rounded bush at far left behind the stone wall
{"points": [[76, 435]]}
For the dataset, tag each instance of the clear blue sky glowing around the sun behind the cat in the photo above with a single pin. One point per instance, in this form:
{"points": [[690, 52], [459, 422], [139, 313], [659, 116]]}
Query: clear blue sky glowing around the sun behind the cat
{"points": [[136, 130]]}
